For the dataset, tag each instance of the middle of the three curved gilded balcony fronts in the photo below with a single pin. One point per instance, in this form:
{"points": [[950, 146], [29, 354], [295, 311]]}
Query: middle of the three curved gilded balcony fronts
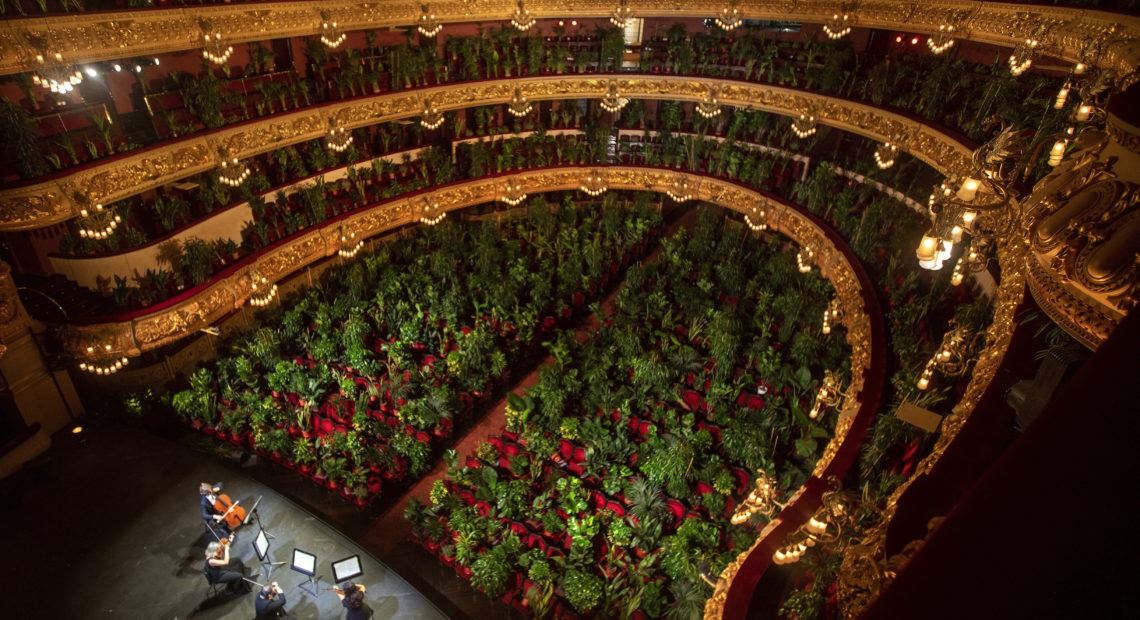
{"points": [[52, 202]]}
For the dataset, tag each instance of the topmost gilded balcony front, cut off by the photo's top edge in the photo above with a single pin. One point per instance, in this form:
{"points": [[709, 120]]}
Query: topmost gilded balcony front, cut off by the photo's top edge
{"points": [[117, 35]]}
